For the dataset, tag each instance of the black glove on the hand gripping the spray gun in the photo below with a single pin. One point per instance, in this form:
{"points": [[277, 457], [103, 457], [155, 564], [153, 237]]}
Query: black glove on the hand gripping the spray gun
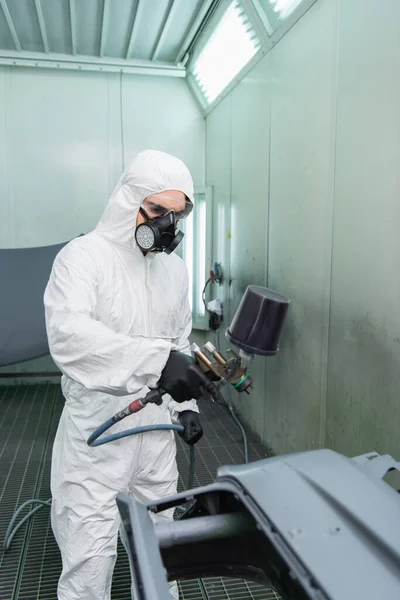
{"points": [[184, 380]]}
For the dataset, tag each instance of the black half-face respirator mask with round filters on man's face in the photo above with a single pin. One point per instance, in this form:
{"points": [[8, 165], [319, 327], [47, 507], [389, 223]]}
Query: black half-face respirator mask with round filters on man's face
{"points": [[158, 234]]}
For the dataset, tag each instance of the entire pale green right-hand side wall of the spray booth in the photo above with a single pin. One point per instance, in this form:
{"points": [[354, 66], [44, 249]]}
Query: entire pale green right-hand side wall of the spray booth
{"points": [[305, 154]]}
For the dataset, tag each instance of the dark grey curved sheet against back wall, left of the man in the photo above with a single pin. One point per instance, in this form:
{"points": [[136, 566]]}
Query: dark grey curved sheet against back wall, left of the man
{"points": [[24, 273]]}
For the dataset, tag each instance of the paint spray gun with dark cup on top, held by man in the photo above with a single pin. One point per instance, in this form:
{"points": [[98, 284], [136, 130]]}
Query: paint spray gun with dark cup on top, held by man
{"points": [[255, 330]]}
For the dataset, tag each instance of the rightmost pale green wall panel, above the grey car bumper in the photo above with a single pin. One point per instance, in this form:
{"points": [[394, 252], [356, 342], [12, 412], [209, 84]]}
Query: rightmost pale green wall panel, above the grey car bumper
{"points": [[363, 407]]}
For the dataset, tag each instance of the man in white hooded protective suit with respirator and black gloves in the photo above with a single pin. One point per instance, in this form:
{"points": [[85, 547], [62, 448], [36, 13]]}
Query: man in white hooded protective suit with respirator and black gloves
{"points": [[118, 321]]}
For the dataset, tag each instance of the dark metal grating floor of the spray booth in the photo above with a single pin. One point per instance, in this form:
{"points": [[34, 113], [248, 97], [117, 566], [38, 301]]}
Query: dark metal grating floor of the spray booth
{"points": [[30, 569]]}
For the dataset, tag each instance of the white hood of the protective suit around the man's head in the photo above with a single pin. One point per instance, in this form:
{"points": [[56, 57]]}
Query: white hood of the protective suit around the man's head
{"points": [[150, 172]]}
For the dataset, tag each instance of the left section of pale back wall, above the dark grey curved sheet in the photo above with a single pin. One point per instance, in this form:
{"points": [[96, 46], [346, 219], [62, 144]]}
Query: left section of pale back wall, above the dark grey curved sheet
{"points": [[60, 136]]}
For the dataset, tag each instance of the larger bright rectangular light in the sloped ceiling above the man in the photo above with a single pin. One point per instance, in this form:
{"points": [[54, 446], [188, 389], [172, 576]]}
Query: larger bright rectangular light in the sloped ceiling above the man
{"points": [[227, 51]]}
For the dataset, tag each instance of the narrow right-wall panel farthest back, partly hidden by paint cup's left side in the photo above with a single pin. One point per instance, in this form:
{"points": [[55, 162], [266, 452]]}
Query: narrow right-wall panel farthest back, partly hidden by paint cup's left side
{"points": [[249, 206]]}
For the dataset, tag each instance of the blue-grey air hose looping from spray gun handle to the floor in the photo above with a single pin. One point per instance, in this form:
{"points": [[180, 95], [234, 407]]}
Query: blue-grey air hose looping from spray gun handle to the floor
{"points": [[95, 440]]}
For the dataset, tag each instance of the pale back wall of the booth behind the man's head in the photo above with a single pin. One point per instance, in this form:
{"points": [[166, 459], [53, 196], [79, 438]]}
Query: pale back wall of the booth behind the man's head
{"points": [[64, 139]]}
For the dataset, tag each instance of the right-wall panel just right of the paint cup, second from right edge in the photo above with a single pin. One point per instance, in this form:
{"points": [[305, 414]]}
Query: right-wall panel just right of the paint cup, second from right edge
{"points": [[302, 144]]}
